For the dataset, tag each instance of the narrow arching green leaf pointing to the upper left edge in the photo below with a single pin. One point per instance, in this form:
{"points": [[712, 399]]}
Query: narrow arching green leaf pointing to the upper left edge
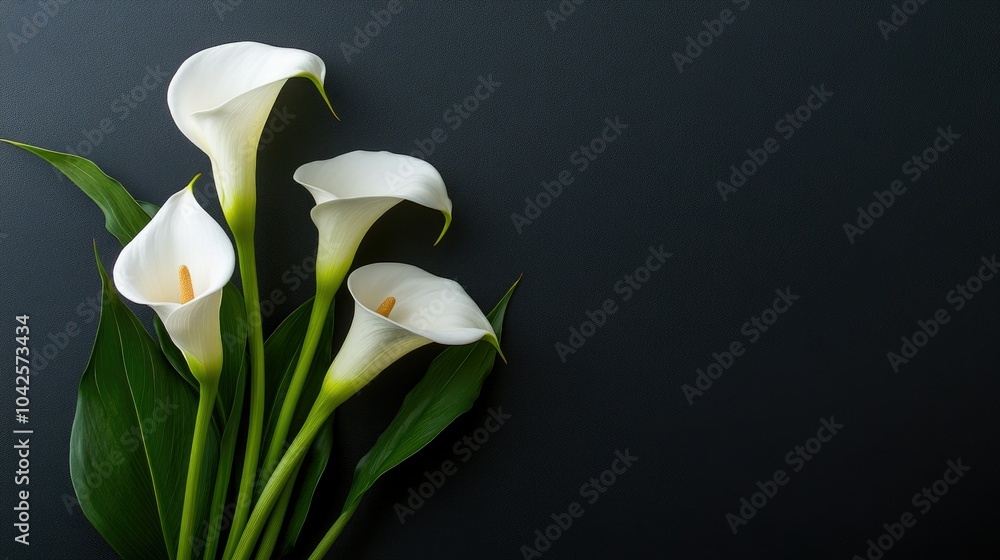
{"points": [[123, 216]]}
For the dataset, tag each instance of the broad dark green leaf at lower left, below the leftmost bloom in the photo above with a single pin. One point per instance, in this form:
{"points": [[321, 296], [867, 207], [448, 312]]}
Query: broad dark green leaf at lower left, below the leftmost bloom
{"points": [[132, 436]]}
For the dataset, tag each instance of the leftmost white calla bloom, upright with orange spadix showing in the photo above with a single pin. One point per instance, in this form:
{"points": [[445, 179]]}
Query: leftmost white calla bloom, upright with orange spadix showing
{"points": [[178, 265]]}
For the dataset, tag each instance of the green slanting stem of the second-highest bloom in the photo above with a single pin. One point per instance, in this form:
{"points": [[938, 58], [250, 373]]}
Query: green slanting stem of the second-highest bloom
{"points": [[317, 318]]}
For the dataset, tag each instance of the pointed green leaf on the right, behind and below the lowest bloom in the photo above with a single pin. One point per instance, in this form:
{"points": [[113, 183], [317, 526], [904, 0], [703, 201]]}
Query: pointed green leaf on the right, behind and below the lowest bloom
{"points": [[448, 389]]}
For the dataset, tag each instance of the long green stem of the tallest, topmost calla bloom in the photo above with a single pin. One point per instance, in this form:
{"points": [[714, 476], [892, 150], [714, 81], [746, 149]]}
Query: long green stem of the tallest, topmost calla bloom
{"points": [[248, 273]]}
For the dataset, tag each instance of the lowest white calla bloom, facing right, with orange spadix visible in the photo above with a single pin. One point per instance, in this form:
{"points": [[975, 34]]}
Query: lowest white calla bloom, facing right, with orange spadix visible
{"points": [[426, 309]]}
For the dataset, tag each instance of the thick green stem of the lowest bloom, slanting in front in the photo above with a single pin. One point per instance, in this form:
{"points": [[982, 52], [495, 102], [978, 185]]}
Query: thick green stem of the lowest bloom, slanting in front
{"points": [[288, 466]]}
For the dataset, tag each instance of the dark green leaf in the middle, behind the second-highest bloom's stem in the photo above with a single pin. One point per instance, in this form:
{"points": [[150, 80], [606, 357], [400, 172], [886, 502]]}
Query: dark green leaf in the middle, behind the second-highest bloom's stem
{"points": [[281, 352]]}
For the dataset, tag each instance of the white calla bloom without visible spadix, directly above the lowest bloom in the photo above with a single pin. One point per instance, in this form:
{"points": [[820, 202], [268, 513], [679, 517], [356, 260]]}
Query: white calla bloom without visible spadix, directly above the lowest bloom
{"points": [[354, 189]]}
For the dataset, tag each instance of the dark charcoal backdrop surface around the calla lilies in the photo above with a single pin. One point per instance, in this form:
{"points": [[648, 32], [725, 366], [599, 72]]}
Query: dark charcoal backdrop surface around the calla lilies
{"points": [[653, 186]]}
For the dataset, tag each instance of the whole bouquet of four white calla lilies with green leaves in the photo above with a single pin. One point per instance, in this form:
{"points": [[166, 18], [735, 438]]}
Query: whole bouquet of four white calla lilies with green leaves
{"points": [[209, 441]]}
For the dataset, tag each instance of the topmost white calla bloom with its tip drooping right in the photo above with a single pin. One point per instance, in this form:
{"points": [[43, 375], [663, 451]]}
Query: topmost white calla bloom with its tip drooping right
{"points": [[221, 98]]}
